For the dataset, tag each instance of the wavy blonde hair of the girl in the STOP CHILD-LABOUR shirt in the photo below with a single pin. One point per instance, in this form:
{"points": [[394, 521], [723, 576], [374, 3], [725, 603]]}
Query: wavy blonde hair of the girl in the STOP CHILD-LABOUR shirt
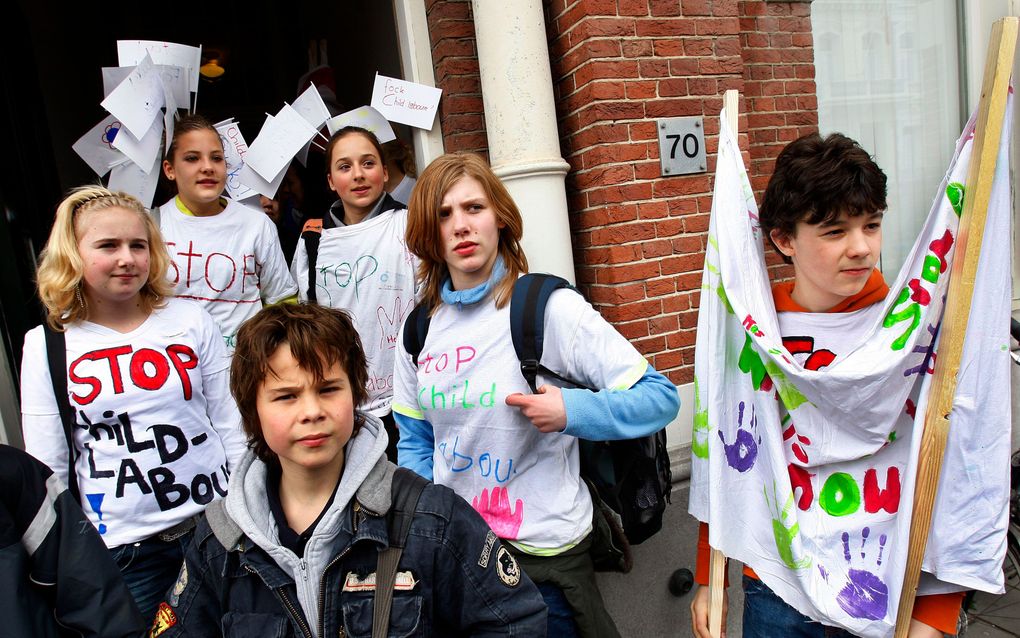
{"points": [[62, 271]]}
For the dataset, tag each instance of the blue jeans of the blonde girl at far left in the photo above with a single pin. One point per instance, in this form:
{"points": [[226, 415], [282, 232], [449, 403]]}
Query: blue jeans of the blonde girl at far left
{"points": [[150, 569]]}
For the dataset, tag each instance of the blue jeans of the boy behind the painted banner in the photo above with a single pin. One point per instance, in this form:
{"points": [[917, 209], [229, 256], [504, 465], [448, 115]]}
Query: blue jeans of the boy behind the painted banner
{"points": [[768, 616]]}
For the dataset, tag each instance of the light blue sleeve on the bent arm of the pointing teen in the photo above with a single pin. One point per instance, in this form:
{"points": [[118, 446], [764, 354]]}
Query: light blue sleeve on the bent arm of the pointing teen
{"points": [[645, 408]]}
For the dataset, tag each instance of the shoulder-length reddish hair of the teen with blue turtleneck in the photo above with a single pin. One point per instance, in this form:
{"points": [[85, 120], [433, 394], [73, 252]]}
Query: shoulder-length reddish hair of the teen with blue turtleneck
{"points": [[424, 237]]}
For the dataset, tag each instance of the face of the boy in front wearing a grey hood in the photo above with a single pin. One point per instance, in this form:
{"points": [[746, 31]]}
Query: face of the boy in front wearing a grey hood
{"points": [[305, 422]]}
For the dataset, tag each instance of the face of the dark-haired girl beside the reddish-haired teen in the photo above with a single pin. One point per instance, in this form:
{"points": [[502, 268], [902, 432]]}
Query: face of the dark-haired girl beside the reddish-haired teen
{"points": [[356, 174]]}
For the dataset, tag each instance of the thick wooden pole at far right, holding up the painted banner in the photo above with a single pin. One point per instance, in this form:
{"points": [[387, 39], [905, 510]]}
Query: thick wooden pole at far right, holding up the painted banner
{"points": [[977, 195]]}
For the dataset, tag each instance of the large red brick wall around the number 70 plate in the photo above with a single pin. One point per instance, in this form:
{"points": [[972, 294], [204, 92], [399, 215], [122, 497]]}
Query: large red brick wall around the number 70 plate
{"points": [[618, 66]]}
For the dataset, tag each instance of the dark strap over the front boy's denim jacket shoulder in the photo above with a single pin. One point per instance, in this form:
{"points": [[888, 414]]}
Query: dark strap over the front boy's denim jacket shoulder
{"points": [[405, 492]]}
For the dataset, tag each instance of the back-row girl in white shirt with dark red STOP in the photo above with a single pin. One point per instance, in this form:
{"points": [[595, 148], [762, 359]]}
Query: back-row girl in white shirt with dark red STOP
{"points": [[226, 256]]}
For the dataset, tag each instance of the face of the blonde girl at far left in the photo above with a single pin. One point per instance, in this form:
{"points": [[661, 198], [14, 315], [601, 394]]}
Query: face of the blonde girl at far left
{"points": [[115, 250]]}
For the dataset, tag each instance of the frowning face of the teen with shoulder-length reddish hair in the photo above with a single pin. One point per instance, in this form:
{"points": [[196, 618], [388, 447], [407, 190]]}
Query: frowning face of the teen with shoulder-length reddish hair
{"points": [[471, 233]]}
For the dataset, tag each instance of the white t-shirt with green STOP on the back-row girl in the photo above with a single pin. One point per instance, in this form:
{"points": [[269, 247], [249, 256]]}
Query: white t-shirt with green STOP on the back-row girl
{"points": [[367, 270]]}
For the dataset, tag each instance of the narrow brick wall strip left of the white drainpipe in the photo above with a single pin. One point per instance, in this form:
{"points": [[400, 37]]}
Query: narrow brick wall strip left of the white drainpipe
{"points": [[451, 30]]}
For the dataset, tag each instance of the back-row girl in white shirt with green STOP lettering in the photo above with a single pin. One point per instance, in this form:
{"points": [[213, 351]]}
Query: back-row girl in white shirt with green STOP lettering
{"points": [[355, 259]]}
